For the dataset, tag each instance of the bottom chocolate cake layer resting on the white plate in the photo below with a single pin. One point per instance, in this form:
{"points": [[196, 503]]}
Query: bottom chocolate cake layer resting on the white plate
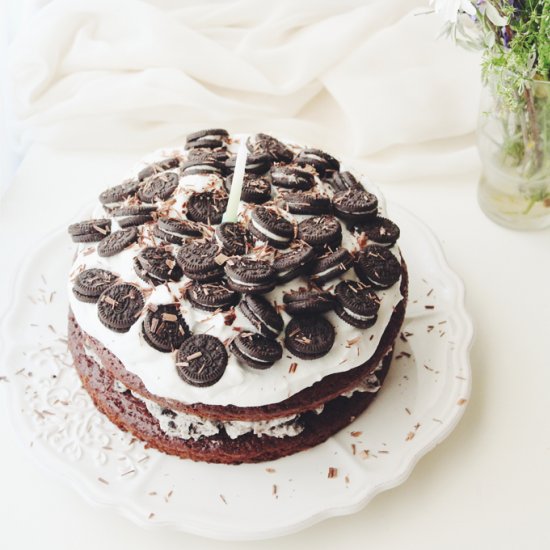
{"points": [[130, 414]]}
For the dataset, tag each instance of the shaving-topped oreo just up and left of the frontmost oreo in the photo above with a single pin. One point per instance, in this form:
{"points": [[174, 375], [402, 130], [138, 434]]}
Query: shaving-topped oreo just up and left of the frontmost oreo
{"points": [[164, 328]]}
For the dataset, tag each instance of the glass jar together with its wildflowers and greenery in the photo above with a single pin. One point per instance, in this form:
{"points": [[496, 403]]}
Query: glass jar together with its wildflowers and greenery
{"points": [[514, 119]]}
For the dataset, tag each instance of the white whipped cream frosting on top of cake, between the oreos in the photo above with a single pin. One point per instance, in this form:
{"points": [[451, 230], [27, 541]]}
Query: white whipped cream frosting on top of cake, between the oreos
{"points": [[240, 385]]}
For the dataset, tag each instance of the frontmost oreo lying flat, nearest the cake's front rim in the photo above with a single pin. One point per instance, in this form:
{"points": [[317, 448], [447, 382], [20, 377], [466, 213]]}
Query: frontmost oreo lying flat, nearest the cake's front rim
{"points": [[201, 360]]}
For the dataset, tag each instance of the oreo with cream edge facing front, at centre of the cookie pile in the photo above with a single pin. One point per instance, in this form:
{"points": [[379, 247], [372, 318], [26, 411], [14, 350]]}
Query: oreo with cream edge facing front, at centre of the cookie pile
{"points": [[249, 275]]}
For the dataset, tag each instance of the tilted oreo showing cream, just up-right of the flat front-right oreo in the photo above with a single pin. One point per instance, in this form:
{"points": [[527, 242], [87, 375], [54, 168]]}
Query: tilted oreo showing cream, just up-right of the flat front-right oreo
{"points": [[356, 303]]}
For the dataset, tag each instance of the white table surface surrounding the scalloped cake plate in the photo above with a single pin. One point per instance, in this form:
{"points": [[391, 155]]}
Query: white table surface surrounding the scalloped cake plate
{"points": [[486, 486]]}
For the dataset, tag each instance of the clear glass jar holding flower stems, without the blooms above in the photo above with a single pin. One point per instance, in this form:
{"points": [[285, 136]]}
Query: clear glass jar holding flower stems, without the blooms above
{"points": [[514, 145]]}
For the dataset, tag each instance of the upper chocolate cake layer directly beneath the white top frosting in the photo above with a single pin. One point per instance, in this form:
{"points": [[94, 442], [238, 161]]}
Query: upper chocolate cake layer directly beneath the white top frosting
{"points": [[310, 398]]}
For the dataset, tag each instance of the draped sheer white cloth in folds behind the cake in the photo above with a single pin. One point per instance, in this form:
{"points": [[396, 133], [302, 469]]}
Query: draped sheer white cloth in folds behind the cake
{"points": [[364, 79]]}
